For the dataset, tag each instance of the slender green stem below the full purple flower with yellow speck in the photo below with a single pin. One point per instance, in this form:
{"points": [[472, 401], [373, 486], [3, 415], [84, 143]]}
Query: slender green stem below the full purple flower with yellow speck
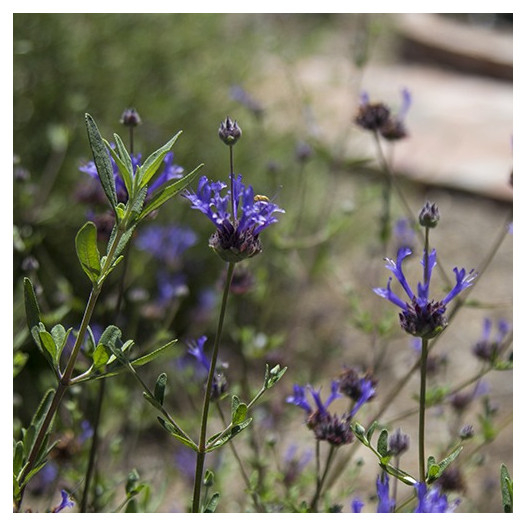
{"points": [[208, 392]]}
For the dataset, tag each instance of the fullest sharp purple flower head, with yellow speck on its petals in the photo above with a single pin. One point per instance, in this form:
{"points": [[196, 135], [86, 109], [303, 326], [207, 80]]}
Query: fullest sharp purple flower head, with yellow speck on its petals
{"points": [[237, 234]]}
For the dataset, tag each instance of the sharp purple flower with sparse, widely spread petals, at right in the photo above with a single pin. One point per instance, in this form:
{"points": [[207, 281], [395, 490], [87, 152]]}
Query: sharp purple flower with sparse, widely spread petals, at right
{"points": [[421, 316]]}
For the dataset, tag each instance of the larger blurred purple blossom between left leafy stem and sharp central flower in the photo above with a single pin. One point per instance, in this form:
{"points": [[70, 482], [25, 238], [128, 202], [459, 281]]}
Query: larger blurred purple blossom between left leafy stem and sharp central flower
{"points": [[166, 243]]}
